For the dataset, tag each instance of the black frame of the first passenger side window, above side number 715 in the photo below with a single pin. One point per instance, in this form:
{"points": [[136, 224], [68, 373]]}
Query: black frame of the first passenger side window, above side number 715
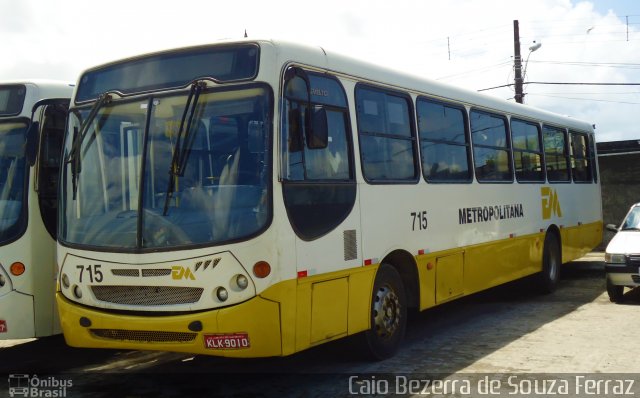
{"points": [[413, 130]]}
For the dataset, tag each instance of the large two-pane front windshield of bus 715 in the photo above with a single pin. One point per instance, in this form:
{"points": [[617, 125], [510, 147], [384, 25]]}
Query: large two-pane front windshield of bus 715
{"points": [[168, 171]]}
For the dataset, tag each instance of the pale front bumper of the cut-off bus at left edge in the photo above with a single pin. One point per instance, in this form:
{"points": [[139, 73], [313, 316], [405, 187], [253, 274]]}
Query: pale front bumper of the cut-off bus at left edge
{"points": [[16, 316]]}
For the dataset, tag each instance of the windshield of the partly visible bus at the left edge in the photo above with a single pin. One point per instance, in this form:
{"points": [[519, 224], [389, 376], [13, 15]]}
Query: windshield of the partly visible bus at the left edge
{"points": [[12, 178]]}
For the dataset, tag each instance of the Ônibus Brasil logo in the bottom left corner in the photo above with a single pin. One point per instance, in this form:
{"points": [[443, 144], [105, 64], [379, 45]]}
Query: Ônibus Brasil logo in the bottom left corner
{"points": [[23, 385]]}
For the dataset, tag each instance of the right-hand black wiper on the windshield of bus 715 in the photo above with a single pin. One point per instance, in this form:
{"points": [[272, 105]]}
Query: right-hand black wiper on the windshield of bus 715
{"points": [[183, 145]]}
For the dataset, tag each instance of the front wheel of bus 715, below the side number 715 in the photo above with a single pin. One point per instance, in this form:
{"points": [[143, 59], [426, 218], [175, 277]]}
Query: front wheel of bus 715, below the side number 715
{"points": [[388, 314]]}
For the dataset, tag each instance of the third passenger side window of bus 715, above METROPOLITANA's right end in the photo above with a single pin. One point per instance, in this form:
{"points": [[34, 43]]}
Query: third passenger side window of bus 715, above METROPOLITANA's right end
{"points": [[492, 155]]}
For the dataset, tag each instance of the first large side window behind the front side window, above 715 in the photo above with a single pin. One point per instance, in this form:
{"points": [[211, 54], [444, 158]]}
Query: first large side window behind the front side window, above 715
{"points": [[387, 138]]}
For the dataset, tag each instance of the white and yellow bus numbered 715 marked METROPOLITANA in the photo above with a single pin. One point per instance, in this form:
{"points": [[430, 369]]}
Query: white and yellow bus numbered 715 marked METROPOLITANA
{"points": [[257, 198]]}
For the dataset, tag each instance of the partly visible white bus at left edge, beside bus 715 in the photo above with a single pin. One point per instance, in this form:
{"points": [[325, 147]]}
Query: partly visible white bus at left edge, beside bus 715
{"points": [[32, 120]]}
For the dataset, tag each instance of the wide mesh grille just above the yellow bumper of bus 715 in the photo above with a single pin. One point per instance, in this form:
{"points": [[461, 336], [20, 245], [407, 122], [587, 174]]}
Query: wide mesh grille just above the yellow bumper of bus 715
{"points": [[147, 295]]}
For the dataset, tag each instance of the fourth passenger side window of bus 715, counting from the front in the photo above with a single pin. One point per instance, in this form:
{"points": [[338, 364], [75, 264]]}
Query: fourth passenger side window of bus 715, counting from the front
{"points": [[527, 151]]}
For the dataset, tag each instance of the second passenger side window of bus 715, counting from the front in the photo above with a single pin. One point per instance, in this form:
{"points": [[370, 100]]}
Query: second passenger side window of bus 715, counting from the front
{"points": [[444, 142]]}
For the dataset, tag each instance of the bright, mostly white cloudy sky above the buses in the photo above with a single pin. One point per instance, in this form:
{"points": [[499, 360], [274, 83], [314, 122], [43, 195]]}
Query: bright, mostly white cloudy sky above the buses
{"points": [[468, 43]]}
